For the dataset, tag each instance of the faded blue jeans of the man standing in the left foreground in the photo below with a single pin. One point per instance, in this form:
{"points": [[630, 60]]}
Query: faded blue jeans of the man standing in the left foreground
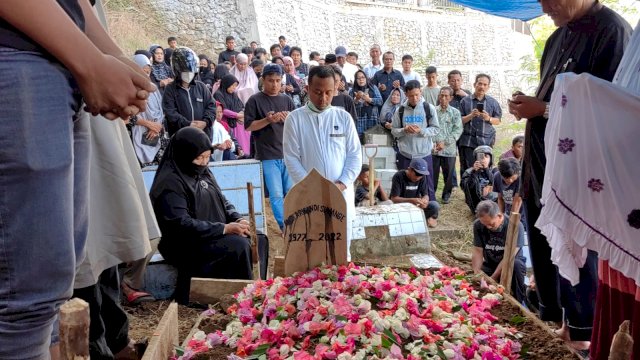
{"points": [[44, 173]]}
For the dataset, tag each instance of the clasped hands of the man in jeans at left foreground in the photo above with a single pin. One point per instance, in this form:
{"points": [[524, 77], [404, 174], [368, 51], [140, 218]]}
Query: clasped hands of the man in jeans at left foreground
{"points": [[113, 89]]}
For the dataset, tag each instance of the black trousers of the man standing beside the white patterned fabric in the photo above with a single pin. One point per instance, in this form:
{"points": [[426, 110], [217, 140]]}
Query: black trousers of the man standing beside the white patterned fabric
{"points": [[556, 293]]}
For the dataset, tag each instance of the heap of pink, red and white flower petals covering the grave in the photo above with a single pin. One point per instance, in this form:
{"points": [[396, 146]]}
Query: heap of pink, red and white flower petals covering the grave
{"points": [[352, 312]]}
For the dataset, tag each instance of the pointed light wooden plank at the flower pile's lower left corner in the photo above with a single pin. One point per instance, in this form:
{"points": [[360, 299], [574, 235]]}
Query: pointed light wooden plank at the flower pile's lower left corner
{"points": [[165, 337]]}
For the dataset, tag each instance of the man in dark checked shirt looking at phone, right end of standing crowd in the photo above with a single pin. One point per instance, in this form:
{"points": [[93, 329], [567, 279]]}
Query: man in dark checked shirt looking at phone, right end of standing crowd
{"points": [[480, 112]]}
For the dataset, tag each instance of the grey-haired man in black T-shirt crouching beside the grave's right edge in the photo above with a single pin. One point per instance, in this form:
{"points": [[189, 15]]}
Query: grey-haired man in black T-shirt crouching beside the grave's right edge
{"points": [[489, 239]]}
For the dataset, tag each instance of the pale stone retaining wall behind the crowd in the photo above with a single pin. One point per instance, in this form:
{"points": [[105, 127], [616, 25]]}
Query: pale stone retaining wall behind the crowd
{"points": [[466, 40]]}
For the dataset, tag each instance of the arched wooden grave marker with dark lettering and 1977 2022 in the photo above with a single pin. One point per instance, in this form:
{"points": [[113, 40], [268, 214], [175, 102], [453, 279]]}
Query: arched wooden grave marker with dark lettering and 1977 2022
{"points": [[315, 214]]}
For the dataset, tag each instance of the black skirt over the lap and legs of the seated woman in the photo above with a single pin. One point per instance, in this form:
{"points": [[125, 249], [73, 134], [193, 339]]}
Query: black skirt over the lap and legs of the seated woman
{"points": [[228, 257]]}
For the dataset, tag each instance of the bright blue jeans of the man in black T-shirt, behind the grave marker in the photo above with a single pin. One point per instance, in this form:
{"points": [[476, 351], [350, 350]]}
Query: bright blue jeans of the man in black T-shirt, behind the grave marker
{"points": [[278, 183]]}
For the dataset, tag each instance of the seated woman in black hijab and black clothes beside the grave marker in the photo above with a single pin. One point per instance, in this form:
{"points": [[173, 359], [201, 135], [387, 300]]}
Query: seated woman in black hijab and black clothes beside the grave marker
{"points": [[202, 234]]}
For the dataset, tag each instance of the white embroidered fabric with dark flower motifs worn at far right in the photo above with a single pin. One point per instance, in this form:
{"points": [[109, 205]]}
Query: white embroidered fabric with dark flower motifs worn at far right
{"points": [[591, 191]]}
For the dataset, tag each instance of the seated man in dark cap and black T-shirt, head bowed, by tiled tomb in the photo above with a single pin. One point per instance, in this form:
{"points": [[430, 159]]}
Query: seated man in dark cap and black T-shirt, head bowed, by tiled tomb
{"points": [[411, 186]]}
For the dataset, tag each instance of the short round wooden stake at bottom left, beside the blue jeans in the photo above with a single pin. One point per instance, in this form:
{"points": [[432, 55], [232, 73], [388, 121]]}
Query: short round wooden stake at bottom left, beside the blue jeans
{"points": [[74, 330]]}
